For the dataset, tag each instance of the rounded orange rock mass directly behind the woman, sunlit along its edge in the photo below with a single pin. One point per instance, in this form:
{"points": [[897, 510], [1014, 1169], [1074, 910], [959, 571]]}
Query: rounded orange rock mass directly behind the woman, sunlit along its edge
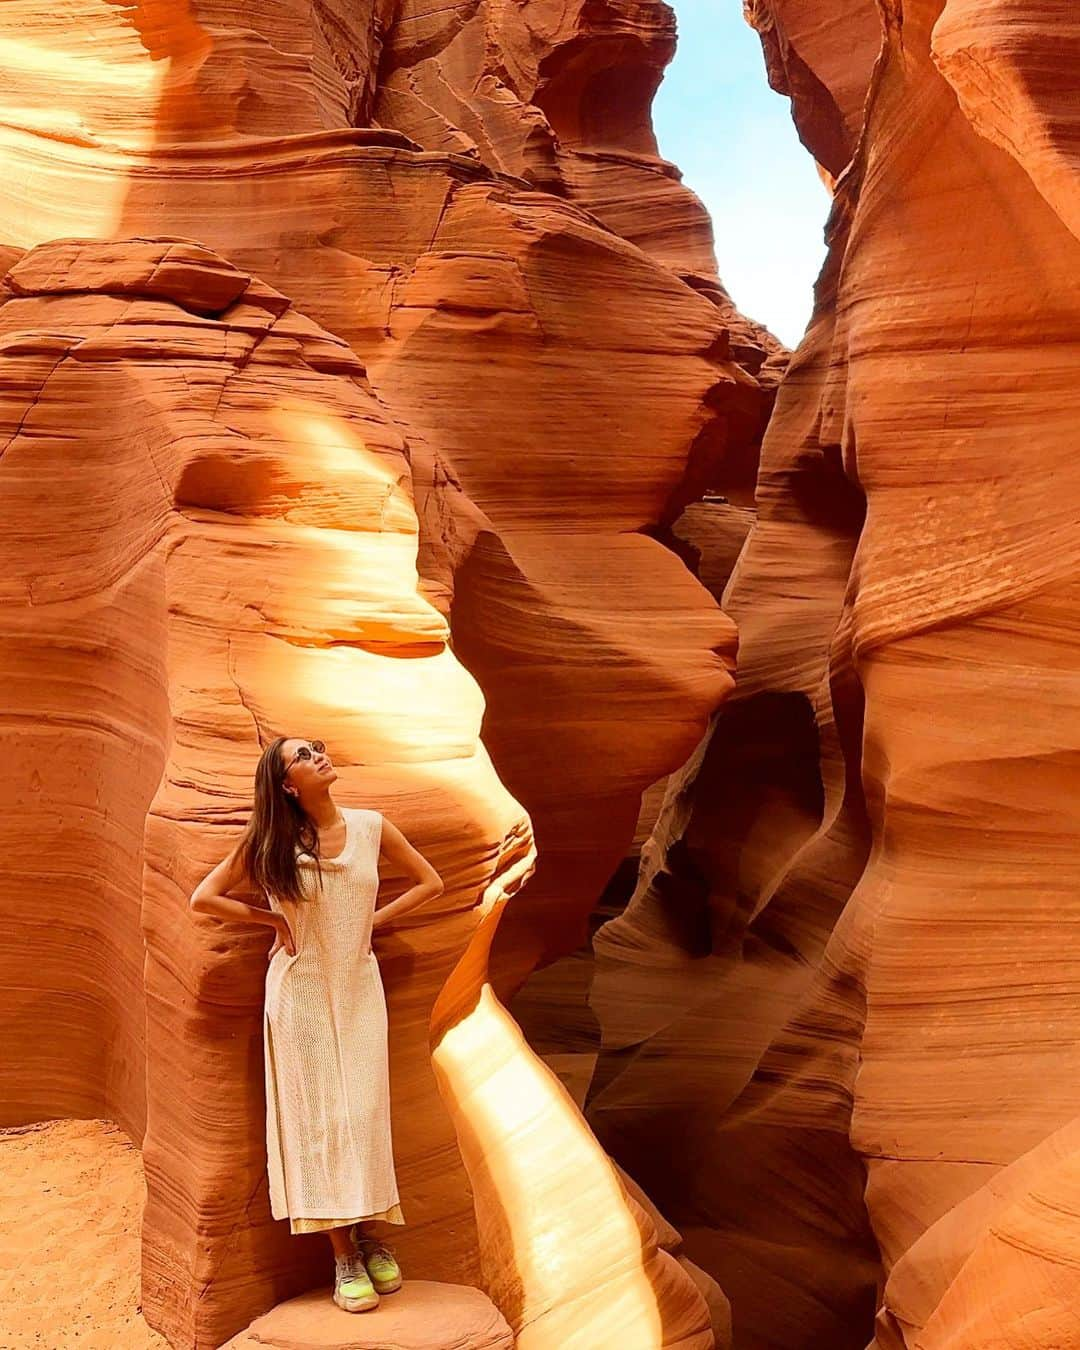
{"points": [[263, 568]]}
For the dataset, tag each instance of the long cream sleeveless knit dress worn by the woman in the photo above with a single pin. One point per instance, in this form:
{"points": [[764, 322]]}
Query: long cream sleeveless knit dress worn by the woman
{"points": [[329, 1144]]}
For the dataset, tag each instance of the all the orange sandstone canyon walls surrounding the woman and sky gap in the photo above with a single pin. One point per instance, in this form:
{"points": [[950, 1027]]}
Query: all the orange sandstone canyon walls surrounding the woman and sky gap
{"points": [[364, 373]]}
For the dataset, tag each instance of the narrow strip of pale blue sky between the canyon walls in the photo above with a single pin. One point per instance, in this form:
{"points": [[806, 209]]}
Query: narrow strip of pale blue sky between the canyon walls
{"points": [[734, 138]]}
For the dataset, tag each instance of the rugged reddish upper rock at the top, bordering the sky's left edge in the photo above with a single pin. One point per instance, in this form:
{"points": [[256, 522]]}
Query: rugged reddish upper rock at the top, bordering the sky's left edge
{"points": [[557, 95]]}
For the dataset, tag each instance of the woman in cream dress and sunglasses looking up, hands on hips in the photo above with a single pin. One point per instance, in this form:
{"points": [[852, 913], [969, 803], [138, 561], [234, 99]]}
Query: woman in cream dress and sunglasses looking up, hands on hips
{"points": [[329, 1145]]}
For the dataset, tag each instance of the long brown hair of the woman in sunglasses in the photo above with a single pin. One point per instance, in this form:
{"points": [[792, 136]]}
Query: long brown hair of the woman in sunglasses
{"points": [[277, 827]]}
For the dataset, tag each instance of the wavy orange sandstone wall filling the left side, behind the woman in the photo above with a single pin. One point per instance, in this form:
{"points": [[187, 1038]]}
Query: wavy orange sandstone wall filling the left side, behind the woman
{"points": [[317, 399]]}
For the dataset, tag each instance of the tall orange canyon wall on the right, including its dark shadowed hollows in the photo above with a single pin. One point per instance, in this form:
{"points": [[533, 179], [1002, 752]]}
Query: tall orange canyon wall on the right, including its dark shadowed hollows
{"points": [[843, 997]]}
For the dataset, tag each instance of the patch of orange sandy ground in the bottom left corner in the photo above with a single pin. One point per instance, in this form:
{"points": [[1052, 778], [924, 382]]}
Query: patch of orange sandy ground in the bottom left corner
{"points": [[71, 1206]]}
